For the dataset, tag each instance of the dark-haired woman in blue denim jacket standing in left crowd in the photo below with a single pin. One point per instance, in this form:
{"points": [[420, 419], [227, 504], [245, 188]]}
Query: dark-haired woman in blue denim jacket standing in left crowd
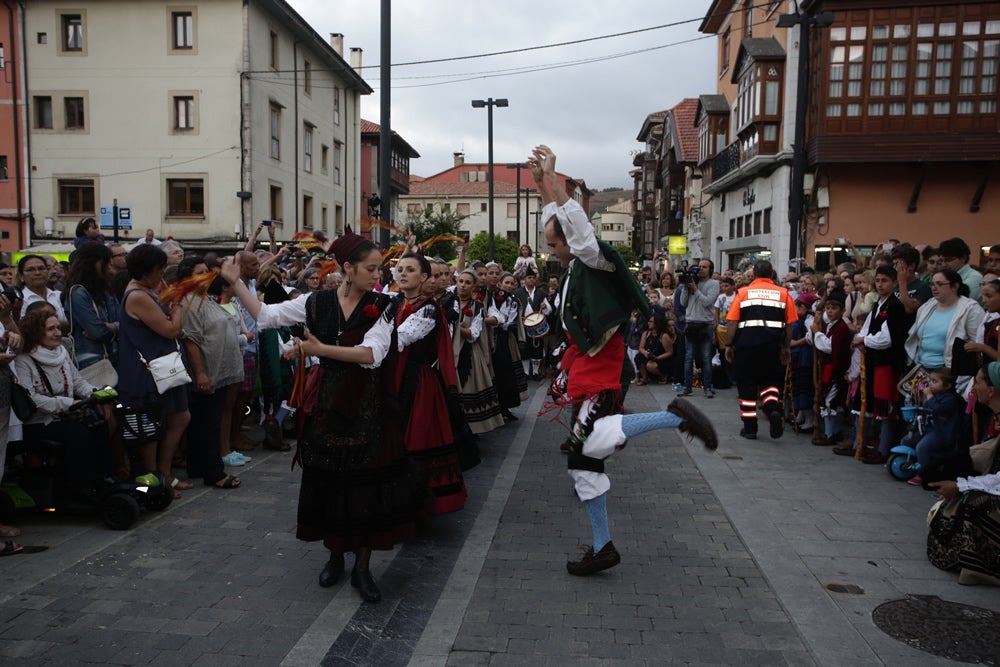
{"points": [[94, 313]]}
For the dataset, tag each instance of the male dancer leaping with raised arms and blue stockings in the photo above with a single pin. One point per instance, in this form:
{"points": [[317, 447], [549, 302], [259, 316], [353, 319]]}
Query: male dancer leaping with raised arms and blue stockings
{"points": [[598, 294]]}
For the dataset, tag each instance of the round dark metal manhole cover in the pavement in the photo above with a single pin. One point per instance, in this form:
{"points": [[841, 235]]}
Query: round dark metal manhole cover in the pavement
{"points": [[947, 629]]}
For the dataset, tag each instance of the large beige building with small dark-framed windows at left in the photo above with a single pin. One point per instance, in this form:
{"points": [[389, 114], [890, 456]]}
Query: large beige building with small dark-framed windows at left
{"points": [[204, 117]]}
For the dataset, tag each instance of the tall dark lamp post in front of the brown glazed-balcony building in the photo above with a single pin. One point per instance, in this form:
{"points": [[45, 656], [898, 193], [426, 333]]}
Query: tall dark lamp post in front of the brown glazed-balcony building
{"points": [[796, 198]]}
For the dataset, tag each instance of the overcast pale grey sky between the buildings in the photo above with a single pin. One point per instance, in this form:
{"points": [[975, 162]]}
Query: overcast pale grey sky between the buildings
{"points": [[589, 114]]}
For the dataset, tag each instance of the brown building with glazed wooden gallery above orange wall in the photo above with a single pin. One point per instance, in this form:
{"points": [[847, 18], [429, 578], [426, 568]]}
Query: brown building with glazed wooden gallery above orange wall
{"points": [[903, 132]]}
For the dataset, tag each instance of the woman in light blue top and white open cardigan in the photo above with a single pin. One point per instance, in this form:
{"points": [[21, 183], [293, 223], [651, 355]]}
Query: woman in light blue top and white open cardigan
{"points": [[949, 315]]}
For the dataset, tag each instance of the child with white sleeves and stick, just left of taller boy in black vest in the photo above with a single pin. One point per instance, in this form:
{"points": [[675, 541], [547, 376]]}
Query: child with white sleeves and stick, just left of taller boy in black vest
{"points": [[833, 343]]}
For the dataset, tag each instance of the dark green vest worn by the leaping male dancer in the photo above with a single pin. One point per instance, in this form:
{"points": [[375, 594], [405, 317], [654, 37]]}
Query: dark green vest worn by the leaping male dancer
{"points": [[599, 301]]}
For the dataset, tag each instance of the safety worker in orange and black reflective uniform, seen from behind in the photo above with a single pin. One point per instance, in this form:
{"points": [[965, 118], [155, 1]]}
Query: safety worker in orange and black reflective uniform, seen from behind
{"points": [[758, 338]]}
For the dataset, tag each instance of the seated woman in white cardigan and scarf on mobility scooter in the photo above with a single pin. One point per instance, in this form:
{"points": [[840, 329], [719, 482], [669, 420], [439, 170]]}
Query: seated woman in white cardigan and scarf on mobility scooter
{"points": [[54, 384]]}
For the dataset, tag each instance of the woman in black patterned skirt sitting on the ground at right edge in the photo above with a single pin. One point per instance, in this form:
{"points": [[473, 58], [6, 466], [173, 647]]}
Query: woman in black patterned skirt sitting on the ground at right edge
{"points": [[962, 532]]}
